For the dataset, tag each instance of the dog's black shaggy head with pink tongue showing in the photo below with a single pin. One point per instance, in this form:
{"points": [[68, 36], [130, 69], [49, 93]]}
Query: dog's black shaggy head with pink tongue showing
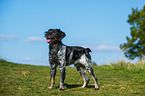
{"points": [[54, 35]]}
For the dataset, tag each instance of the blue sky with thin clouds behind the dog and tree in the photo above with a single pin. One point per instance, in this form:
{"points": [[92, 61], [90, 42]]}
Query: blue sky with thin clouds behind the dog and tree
{"points": [[98, 24]]}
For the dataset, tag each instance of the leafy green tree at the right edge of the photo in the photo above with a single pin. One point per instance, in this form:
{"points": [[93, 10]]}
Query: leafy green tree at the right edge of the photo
{"points": [[135, 46]]}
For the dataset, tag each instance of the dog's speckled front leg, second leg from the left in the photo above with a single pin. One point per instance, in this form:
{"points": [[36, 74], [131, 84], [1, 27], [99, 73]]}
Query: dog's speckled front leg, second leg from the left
{"points": [[62, 78]]}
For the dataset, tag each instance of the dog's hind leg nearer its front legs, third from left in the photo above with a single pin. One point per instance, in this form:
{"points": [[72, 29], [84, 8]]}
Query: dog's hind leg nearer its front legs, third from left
{"points": [[82, 70]]}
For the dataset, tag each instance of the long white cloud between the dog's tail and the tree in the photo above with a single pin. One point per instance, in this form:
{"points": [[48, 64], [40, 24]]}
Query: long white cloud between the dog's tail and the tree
{"points": [[104, 48]]}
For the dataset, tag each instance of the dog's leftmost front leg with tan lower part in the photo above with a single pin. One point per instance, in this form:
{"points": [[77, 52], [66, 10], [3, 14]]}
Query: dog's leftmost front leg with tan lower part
{"points": [[53, 73]]}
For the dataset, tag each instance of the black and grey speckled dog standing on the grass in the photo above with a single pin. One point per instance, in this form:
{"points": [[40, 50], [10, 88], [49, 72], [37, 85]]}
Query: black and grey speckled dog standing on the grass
{"points": [[62, 56]]}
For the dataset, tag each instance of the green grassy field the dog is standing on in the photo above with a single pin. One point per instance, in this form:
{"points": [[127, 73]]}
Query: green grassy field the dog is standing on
{"points": [[116, 79]]}
